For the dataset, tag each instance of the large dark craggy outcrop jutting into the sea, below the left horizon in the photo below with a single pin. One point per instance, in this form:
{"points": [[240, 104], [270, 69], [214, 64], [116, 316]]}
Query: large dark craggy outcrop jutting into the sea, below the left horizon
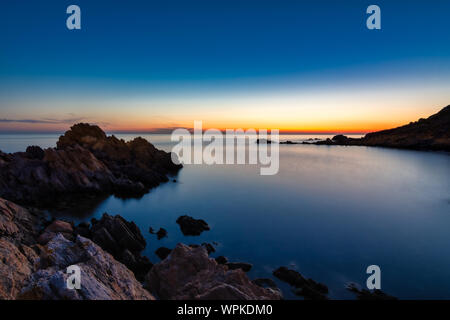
{"points": [[86, 161]]}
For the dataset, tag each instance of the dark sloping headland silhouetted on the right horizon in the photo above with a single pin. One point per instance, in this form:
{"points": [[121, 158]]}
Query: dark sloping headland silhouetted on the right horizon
{"points": [[432, 133]]}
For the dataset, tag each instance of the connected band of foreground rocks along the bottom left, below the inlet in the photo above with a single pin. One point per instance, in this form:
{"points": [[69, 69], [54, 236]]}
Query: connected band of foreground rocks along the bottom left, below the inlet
{"points": [[35, 255]]}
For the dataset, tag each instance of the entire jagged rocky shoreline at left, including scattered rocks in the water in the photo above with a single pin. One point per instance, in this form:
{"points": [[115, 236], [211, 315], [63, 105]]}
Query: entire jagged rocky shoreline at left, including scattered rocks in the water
{"points": [[35, 252]]}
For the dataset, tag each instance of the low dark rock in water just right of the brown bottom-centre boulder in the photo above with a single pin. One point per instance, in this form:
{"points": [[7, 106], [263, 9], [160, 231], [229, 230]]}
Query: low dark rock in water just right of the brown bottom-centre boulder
{"points": [[307, 288]]}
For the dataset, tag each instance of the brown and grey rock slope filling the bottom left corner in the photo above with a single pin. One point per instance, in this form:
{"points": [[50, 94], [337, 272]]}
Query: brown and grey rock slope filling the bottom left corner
{"points": [[29, 270]]}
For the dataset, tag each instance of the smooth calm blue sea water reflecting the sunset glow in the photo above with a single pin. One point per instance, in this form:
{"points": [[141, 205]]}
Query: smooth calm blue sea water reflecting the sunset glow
{"points": [[329, 213]]}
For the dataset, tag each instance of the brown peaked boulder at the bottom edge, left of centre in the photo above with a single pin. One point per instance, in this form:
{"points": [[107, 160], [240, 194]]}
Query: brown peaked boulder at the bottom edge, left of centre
{"points": [[189, 273]]}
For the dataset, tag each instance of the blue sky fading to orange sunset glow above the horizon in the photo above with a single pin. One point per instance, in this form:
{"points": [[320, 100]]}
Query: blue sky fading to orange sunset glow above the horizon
{"points": [[297, 66]]}
